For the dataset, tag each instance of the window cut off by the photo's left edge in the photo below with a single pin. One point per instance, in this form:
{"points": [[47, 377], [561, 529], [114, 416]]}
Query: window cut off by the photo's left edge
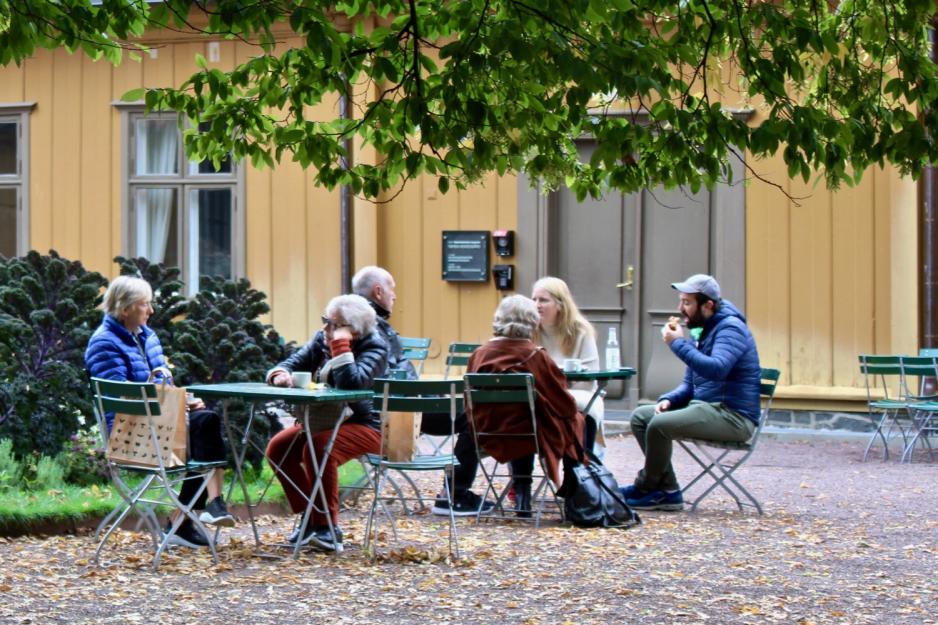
{"points": [[14, 226]]}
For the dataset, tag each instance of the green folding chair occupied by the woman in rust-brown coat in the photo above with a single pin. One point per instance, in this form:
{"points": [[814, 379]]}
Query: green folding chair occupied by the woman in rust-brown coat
{"points": [[508, 388]]}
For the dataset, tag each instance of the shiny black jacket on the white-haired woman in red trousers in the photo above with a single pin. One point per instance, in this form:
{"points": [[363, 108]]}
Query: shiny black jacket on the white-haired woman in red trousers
{"points": [[371, 357]]}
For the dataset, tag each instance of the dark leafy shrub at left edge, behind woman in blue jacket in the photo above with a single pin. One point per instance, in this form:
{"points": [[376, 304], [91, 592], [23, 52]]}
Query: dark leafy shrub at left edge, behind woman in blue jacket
{"points": [[48, 310]]}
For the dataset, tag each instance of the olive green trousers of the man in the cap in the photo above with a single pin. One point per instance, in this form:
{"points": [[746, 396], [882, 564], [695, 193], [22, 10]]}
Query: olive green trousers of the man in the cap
{"points": [[655, 433]]}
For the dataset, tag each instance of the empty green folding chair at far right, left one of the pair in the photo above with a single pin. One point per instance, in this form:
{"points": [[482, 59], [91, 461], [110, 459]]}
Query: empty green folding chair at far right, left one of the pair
{"points": [[887, 394]]}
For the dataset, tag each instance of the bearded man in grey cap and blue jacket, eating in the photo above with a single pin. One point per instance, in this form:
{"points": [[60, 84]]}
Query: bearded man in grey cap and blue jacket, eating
{"points": [[717, 400]]}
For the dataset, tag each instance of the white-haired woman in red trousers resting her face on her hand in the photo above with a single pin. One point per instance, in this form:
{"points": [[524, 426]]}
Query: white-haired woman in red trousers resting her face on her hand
{"points": [[346, 353]]}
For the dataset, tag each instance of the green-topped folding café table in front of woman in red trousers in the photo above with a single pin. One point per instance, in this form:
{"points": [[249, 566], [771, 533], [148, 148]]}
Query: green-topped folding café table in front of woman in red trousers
{"points": [[255, 392]]}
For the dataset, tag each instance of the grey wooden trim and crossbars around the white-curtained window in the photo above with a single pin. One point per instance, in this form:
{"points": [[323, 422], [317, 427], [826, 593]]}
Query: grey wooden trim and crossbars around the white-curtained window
{"points": [[184, 182]]}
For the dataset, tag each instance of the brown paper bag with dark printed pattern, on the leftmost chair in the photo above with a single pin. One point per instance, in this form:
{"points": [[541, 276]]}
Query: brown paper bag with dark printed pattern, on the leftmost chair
{"points": [[131, 441]]}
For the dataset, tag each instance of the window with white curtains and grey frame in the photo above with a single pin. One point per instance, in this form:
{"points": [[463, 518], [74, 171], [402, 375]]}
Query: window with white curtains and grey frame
{"points": [[181, 213]]}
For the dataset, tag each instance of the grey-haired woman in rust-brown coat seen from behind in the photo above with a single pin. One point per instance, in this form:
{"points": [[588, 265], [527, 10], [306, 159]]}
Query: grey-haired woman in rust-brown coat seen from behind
{"points": [[559, 425]]}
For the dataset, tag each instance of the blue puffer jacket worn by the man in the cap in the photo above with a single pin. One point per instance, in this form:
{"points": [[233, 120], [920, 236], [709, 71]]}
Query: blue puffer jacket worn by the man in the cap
{"points": [[722, 367]]}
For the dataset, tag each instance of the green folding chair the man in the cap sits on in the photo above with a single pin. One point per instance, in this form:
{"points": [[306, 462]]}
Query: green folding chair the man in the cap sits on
{"points": [[721, 466]]}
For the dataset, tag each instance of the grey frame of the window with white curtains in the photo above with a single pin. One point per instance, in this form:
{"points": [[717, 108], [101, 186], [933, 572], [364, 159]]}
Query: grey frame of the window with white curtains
{"points": [[184, 182]]}
